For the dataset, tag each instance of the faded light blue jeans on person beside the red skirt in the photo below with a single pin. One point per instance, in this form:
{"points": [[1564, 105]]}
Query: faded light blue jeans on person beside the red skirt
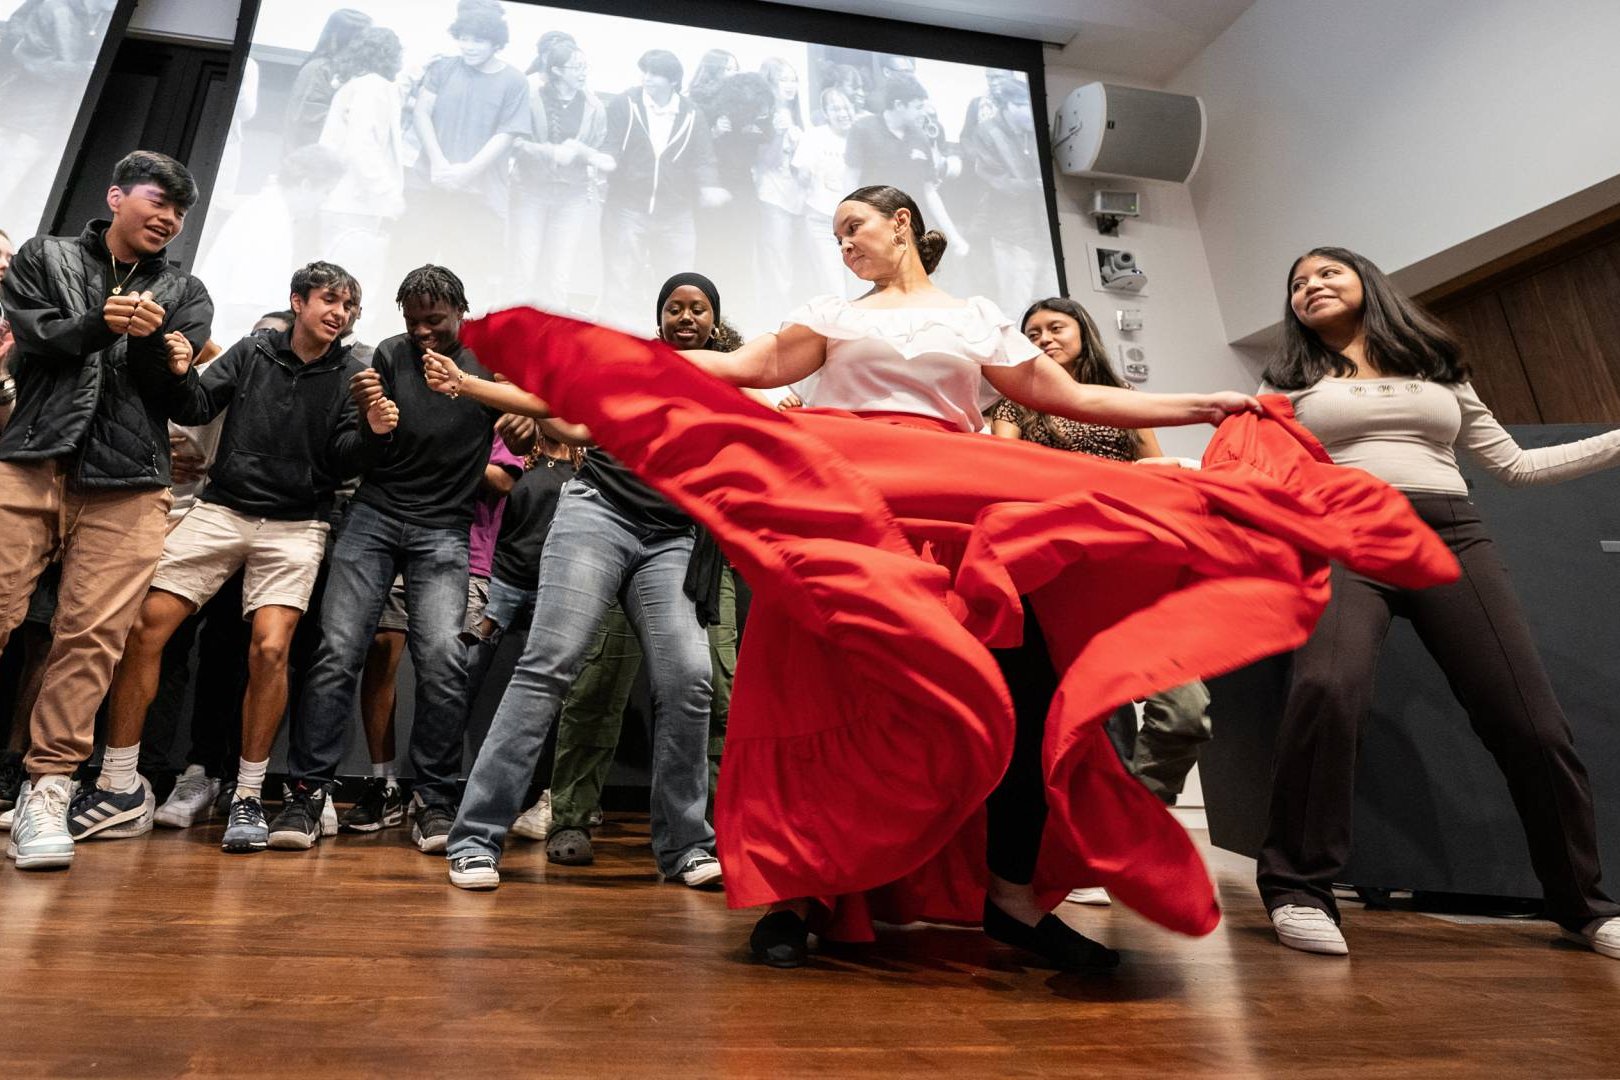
{"points": [[592, 556]]}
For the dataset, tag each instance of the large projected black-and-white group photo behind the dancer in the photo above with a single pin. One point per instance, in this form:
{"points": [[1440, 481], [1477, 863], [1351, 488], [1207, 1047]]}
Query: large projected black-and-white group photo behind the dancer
{"points": [[576, 161]]}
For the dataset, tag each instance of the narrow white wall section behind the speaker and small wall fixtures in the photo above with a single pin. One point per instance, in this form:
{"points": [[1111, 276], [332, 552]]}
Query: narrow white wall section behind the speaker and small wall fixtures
{"points": [[1183, 336]]}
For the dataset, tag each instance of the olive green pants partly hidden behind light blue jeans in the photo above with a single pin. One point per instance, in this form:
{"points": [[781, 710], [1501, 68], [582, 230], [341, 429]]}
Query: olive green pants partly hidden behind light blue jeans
{"points": [[589, 728]]}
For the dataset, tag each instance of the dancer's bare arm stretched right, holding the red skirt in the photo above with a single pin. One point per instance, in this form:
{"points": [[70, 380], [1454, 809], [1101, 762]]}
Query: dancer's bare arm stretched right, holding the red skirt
{"points": [[1044, 386]]}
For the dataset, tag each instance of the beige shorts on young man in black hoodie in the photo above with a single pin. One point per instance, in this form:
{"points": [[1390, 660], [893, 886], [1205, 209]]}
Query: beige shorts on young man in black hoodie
{"points": [[211, 543]]}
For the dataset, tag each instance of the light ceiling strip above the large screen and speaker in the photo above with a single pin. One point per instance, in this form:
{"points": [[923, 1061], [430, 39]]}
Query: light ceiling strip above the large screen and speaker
{"points": [[1138, 40]]}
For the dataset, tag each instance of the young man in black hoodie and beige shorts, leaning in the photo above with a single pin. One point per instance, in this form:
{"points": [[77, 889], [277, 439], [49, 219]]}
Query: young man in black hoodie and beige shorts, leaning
{"points": [[291, 438]]}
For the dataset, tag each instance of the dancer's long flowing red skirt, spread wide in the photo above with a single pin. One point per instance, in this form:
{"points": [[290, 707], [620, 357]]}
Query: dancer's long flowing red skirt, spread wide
{"points": [[869, 720]]}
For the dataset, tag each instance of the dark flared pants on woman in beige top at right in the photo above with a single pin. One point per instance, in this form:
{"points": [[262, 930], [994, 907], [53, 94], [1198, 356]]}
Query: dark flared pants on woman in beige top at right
{"points": [[1478, 636]]}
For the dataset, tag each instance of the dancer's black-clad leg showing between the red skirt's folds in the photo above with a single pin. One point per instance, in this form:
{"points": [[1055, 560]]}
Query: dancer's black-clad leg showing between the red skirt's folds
{"points": [[1017, 812]]}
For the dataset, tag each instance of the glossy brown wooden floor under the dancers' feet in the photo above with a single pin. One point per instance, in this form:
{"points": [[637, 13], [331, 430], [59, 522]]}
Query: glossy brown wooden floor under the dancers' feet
{"points": [[166, 958]]}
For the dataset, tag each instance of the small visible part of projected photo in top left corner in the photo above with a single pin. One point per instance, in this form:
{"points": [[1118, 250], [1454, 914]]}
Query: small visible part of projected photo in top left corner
{"points": [[48, 51]]}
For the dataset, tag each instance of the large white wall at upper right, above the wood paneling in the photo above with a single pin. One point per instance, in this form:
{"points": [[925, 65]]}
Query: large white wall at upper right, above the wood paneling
{"points": [[1430, 135]]}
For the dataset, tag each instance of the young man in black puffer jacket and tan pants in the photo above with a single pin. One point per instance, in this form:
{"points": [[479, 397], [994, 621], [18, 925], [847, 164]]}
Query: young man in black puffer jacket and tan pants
{"points": [[103, 326]]}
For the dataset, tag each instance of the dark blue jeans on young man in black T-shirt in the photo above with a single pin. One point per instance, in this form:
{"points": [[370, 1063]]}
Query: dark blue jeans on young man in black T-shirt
{"points": [[370, 550]]}
